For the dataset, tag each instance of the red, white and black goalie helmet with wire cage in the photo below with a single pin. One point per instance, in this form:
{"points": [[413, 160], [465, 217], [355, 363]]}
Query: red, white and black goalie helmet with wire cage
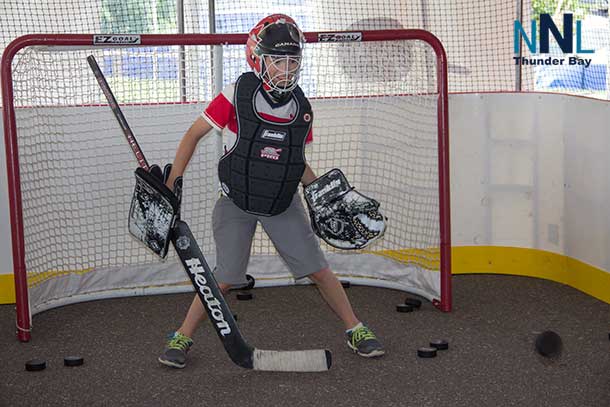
{"points": [[274, 52]]}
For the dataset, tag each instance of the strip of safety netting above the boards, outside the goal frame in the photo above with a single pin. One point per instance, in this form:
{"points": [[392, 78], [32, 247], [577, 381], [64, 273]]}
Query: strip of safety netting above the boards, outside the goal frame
{"points": [[478, 36]]}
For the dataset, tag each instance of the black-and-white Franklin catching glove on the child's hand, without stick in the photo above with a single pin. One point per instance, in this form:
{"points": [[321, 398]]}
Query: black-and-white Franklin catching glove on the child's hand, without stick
{"points": [[342, 216]]}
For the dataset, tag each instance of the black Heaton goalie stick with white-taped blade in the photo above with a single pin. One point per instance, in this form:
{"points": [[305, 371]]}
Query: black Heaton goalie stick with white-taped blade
{"points": [[196, 267]]}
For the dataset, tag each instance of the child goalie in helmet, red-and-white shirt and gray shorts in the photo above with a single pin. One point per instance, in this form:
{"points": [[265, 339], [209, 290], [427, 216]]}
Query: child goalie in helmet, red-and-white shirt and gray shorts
{"points": [[265, 121]]}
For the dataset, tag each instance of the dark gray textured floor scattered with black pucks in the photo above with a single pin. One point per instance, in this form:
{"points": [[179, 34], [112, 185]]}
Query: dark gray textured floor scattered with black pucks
{"points": [[491, 360]]}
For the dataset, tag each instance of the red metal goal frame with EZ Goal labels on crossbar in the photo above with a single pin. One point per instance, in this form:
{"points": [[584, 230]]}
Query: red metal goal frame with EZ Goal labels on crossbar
{"points": [[87, 40]]}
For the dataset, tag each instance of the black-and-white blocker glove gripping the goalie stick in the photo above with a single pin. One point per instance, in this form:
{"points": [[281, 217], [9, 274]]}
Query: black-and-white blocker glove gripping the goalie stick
{"points": [[154, 208]]}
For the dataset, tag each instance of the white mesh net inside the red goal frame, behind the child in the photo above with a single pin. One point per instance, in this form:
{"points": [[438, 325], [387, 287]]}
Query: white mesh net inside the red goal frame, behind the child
{"points": [[375, 117]]}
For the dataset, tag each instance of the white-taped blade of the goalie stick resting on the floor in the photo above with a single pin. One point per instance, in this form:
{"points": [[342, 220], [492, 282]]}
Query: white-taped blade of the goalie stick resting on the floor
{"points": [[318, 360]]}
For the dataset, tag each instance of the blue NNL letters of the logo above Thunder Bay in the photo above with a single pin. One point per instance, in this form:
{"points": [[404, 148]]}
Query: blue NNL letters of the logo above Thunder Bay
{"points": [[547, 25]]}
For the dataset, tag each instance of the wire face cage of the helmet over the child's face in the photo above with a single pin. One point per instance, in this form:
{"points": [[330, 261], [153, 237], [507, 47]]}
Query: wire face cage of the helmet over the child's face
{"points": [[285, 69]]}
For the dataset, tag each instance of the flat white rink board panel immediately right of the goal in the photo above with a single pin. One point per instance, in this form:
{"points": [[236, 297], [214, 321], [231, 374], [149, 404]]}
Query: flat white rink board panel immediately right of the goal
{"points": [[507, 170]]}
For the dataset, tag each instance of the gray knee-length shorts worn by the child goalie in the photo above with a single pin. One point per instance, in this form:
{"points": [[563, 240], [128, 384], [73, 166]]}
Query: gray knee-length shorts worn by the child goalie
{"points": [[290, 232]]}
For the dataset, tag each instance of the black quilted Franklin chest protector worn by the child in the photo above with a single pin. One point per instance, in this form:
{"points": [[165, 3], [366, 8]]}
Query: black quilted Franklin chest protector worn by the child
{"points": [[261, 173]]}
